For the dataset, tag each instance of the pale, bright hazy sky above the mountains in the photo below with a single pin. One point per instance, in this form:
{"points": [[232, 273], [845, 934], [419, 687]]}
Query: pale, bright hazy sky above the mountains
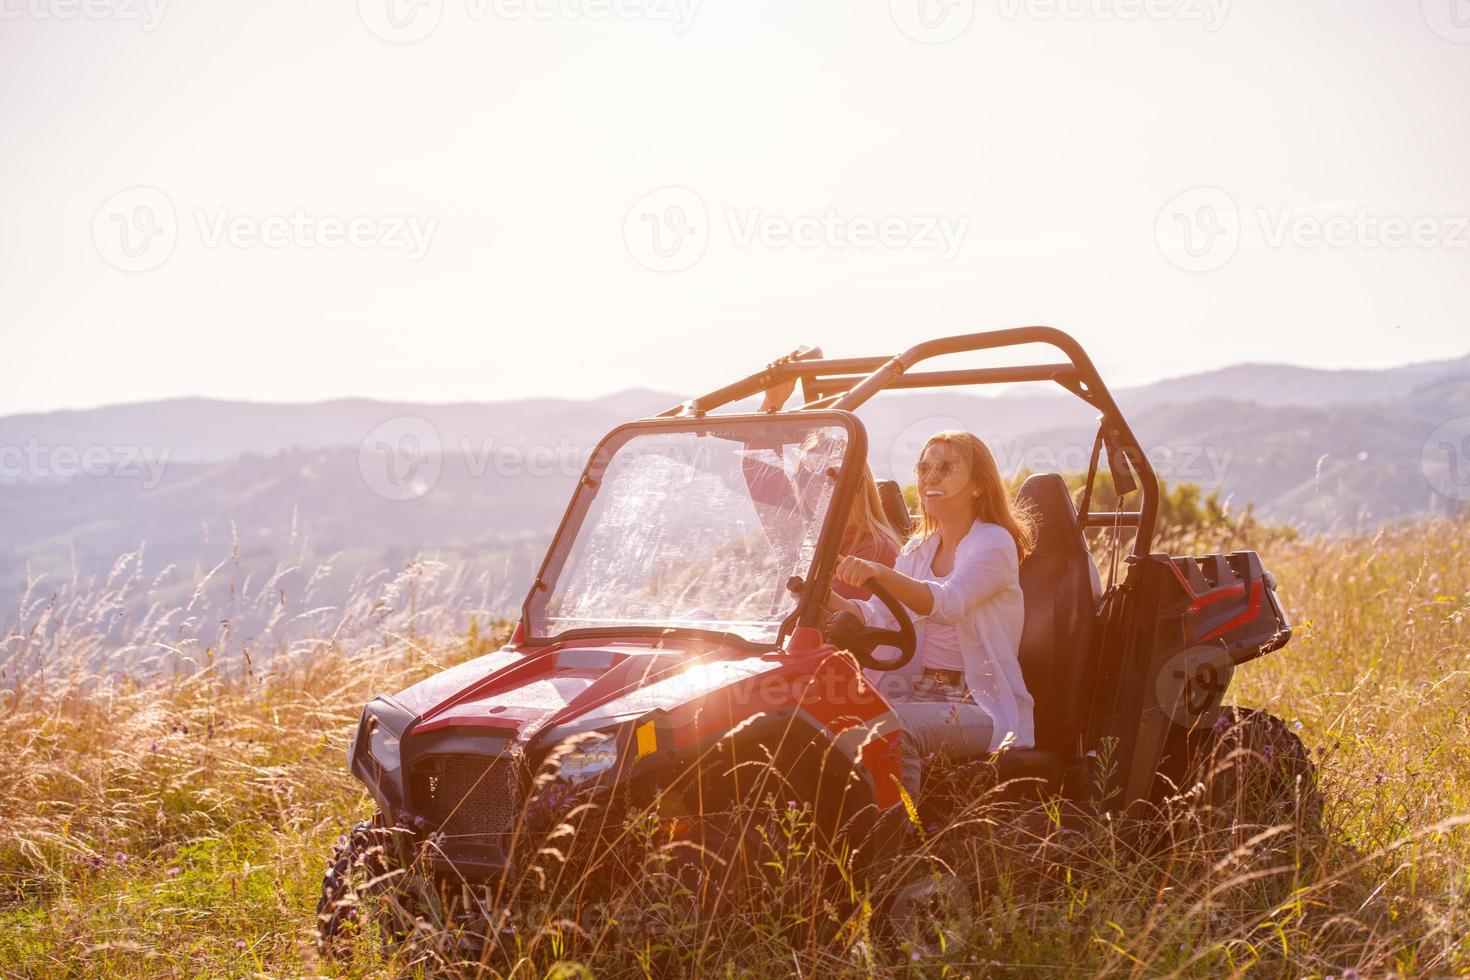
{"points": [[333, 208]]}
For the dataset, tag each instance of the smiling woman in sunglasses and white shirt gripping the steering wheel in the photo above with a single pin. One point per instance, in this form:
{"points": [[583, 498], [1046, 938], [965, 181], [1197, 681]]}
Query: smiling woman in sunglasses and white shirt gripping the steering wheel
{"points": [[961, 580]]}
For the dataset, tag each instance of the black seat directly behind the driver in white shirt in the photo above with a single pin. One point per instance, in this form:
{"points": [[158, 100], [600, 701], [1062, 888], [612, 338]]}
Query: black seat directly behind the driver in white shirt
{"points": [[1058, 581]]}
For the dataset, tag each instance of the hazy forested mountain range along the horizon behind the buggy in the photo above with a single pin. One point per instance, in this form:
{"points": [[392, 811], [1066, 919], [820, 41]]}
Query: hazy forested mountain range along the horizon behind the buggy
{"points": [[196, 480]]}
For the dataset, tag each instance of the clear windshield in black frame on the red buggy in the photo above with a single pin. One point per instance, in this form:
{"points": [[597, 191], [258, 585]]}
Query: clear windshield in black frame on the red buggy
{"points": [[700, 527]]}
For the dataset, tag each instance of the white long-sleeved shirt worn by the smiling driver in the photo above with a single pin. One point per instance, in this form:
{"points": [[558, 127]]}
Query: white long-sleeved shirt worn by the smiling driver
{"points": [[981, 599]]}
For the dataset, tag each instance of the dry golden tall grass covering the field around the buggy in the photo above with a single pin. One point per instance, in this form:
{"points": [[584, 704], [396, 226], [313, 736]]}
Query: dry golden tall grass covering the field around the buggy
{"points": [[171, 794]]}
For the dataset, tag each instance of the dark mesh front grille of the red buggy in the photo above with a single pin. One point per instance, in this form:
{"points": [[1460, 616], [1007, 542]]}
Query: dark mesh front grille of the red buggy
{"points": [[471, 796]]}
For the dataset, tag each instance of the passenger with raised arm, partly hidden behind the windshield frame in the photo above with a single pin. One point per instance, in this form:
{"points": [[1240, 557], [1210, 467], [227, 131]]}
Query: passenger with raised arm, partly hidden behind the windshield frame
{"points": [[868, 536]]}
